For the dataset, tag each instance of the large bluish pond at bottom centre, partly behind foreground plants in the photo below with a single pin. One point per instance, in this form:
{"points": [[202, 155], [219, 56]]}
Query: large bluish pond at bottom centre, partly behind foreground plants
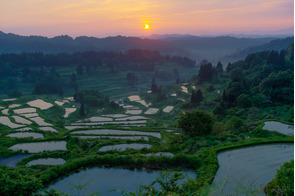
{"points": [[102, 180]]}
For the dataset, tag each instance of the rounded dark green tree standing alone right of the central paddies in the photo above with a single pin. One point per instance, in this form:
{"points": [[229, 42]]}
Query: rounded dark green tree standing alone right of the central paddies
{"points": [[196, 123]]}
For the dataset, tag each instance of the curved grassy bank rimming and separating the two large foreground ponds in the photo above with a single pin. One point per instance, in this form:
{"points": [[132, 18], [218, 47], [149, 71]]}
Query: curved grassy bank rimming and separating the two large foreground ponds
{"points": [[204, 162]]}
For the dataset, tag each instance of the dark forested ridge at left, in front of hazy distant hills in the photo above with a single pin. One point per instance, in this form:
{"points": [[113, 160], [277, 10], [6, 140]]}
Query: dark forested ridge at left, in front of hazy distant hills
{"points": [[132, 59]]}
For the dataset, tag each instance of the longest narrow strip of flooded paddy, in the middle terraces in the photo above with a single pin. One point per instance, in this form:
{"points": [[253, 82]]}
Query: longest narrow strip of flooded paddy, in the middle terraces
{"points": [[117, 132]]}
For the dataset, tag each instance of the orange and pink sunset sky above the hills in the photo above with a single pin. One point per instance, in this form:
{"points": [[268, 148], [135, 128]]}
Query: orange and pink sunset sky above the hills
{"points": [[101, 18]]}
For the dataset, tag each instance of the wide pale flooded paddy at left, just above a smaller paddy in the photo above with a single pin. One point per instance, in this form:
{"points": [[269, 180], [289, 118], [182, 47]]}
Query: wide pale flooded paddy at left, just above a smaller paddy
{"points": [[36, 147]]}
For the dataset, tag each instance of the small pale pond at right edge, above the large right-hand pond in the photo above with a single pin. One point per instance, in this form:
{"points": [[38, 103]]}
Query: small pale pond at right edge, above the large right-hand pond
{"points": [[279, 127]]}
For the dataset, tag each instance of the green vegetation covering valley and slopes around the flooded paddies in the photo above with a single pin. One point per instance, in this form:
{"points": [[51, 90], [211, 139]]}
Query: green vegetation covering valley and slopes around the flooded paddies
{"points": [[222, 109]]}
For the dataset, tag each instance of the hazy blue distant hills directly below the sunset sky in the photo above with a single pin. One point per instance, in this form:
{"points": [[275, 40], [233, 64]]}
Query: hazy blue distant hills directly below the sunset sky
{"points": [[198, 48]]}
